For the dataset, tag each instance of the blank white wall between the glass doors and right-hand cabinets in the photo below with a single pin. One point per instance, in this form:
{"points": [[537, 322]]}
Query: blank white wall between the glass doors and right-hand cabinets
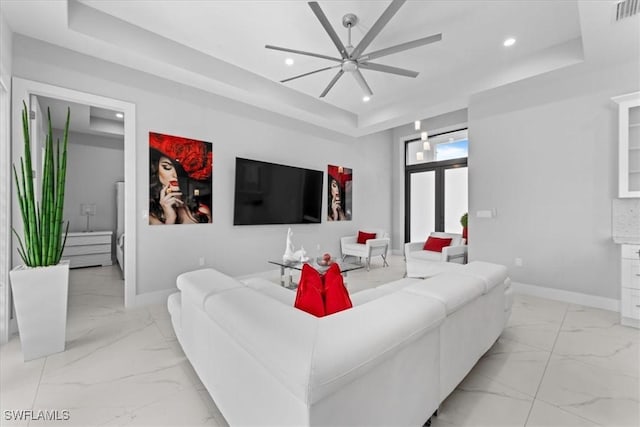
{"points": [[543, 153]]}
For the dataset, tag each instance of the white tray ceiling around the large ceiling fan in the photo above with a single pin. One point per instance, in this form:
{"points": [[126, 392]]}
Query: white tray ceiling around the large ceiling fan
{"points": [[218, 46]]}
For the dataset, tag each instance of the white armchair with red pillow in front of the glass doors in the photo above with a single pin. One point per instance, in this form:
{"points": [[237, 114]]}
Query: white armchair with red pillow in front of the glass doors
{"points": [[426, 263]]}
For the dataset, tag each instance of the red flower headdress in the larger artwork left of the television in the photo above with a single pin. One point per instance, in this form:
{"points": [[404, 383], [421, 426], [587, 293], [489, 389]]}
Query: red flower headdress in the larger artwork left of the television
{"points": [[192, 155]]}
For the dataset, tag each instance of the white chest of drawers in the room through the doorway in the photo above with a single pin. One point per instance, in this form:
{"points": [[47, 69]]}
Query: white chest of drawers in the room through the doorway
{"points": [[84, 249]]}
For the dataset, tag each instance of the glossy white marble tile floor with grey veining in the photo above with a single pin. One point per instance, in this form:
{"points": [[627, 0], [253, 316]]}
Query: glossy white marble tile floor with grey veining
{"points": [[556, 364]]}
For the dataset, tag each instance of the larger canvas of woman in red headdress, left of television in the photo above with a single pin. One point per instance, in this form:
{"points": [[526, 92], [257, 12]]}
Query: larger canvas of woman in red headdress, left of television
{"points": [[179, 180]]}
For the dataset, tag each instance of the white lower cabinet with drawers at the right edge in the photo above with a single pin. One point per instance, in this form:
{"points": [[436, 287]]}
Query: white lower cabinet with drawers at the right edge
{"points": [[630, 292]]}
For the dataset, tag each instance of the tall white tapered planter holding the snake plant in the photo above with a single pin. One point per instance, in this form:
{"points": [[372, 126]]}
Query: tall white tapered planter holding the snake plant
{"points": [[40, 299]]}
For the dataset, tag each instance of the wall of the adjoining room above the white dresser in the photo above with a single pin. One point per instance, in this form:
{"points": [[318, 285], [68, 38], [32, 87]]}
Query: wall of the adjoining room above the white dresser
{"points": [[93, 168]]}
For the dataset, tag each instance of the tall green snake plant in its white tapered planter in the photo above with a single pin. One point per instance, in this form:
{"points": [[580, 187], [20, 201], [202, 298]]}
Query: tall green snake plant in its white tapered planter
{"points": [[40, 286]]}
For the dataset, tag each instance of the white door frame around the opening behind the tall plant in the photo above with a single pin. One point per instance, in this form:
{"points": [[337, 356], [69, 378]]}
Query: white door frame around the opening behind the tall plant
{"points": [[21, 89]]}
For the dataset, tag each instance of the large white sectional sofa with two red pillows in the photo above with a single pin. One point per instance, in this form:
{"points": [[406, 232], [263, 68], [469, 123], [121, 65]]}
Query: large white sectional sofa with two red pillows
{"points": [[389, 360]]}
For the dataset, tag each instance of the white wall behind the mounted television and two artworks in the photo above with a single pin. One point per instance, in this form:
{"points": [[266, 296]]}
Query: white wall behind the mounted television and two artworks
{"points": [[235, 129]]}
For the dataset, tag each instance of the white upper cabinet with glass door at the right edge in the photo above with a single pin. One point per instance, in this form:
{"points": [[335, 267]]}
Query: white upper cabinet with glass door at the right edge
{"points": [[628, 144]]}
